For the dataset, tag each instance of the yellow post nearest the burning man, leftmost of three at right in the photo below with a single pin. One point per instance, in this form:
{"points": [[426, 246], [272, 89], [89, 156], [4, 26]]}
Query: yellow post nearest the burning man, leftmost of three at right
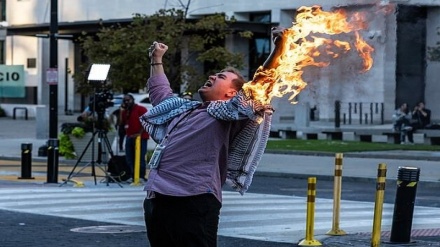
{"points": [[310, 218]]}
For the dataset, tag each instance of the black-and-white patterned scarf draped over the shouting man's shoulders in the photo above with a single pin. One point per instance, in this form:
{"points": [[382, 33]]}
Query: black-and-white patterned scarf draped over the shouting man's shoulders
{"points": [[246, 148]]}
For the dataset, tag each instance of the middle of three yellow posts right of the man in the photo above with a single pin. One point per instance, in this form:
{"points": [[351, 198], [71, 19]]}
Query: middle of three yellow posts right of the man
{"points": [[335, 231]]}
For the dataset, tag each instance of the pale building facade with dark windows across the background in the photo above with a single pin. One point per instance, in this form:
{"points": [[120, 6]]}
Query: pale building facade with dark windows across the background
{"points": [[401, 71]]}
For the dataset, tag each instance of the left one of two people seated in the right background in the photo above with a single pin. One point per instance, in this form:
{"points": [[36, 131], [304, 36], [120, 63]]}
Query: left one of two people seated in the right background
{"points": [[402, 123]]}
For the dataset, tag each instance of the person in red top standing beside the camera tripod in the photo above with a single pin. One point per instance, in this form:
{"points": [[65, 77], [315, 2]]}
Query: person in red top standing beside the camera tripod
{"points": [[133, 128]]}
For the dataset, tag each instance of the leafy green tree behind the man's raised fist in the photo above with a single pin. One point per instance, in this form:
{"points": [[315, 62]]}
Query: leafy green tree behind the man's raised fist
{"points": [[126, 49]]}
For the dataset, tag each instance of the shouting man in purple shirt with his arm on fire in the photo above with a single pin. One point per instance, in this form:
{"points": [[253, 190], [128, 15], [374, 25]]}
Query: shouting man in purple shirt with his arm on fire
{"points": [[202, 146]]}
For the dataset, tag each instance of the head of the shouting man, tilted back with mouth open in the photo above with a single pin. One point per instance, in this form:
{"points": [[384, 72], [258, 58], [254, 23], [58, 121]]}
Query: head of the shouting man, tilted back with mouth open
{"points": [[222, 86]]}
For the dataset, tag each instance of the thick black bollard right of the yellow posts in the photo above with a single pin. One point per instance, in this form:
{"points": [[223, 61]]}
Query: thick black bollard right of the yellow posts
{"points": [[407, 179]]}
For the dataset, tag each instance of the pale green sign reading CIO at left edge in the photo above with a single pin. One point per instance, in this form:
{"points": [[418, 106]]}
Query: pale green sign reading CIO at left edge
{"points": [[12, 83]]}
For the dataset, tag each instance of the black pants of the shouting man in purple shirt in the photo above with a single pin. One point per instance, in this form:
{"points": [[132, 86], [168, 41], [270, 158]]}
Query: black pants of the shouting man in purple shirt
{"points": [[182, 221]]}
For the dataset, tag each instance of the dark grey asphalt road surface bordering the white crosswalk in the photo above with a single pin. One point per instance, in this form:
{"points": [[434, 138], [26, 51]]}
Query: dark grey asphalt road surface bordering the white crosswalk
{"points": [[23, 230]]}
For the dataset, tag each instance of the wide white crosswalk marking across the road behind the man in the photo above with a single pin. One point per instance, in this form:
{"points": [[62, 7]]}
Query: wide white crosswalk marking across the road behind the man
{"points": [[254, 216]]}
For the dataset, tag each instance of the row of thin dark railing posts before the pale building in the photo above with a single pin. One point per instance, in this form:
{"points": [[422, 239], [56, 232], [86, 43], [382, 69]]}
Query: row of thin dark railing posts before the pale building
{"points": [[360, 112]]}
